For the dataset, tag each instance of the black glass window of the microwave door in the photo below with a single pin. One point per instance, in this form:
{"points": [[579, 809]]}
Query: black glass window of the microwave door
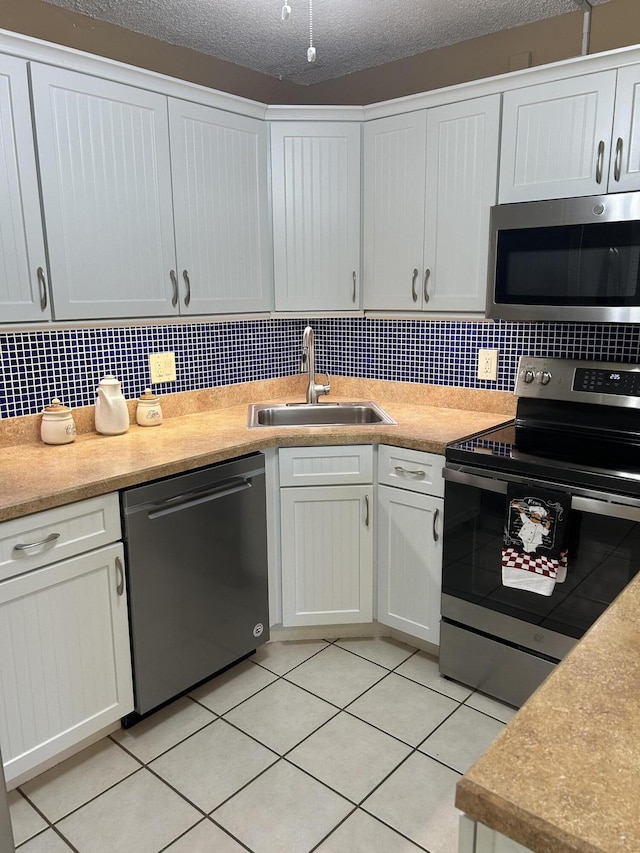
{"points": [[595, 264]]}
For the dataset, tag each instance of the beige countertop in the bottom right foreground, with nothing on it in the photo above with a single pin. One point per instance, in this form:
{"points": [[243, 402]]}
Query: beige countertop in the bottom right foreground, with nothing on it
{"points": [[564, 775]]}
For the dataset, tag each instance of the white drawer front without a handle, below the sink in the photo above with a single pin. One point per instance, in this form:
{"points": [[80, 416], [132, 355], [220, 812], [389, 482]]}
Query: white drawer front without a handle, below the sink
{"points": [[326, 466]]}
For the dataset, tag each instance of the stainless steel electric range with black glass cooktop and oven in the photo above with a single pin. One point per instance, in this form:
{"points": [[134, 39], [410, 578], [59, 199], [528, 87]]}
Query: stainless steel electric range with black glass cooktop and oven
{"points": [[576, 431]]}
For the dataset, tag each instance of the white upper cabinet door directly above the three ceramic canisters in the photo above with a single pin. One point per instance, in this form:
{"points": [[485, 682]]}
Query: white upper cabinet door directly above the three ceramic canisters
{"points": [[106, 180]]}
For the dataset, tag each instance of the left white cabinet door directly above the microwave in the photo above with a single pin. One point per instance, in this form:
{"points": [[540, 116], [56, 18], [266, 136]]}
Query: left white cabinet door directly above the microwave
{"points": [[556, 138]]}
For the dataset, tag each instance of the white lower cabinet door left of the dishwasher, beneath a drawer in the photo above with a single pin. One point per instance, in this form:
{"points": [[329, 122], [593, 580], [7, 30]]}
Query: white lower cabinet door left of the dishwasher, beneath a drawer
{"points": [[65, 670]]}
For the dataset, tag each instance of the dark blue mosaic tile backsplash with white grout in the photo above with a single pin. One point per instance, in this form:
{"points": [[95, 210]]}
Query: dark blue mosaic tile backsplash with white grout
{"points": [[37, 366]]}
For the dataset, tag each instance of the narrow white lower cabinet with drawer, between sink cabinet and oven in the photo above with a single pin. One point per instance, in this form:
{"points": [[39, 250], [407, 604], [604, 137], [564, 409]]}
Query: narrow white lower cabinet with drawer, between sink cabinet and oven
{"points": [[409, 525]]}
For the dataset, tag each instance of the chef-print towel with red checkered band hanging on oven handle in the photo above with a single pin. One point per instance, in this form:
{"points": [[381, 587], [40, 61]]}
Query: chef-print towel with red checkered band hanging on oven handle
{"points": [[534, 555]]}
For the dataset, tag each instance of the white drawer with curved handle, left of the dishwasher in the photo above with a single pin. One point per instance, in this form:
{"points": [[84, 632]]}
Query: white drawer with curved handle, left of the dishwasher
{"points": [[56, 534]]}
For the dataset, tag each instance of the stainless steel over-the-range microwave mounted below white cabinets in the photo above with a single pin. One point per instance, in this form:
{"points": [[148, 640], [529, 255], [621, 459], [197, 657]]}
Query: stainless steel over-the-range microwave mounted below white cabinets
{"points": [[568, 259]]}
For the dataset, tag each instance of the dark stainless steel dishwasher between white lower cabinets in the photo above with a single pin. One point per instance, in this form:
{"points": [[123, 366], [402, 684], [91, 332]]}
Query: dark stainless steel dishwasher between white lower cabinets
{"points": [[196, 548]]}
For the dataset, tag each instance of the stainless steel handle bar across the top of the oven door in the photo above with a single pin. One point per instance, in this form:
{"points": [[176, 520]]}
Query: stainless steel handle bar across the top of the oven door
{"points": [[597, 503]]}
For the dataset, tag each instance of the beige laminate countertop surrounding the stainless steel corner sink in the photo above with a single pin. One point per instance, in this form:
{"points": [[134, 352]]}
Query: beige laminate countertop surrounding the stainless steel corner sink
{"points": [[35, 476]]}
